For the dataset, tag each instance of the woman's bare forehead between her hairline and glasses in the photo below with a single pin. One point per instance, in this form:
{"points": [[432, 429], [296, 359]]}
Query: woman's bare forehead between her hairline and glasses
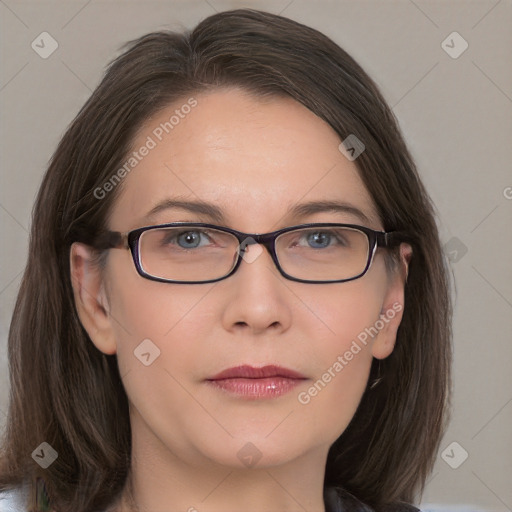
{"points": [[253, 159]]}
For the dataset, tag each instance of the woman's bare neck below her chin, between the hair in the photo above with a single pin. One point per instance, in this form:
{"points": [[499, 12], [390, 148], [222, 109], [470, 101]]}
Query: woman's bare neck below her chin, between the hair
{"points": [[289, 488]]}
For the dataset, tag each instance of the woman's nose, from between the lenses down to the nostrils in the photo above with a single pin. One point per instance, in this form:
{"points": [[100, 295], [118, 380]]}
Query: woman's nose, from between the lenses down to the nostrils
{"points": [[256, 299]]}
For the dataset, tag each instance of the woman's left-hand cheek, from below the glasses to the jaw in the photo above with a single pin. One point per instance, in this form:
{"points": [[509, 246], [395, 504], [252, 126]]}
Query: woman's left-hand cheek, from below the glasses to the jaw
{"points": [[159, 330]]}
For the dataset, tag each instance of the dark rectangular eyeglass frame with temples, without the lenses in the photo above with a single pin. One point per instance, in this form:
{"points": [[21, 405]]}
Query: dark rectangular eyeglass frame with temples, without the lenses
{"points": [[130, 240]]}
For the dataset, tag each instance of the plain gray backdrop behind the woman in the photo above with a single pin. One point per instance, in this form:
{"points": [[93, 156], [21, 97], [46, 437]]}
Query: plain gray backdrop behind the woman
{"points": [[456, 114]]}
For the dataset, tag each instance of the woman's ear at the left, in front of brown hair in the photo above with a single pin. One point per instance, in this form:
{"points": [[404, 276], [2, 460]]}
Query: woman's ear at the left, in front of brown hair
{"points": [[90, 298]]}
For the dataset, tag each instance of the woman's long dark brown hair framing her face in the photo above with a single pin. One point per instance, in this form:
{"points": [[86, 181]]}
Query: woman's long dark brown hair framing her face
{"points": [[66, 392]]}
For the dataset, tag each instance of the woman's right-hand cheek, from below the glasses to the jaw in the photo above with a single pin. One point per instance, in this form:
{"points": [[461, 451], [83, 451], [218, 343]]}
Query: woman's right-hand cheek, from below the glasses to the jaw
{"points": [[342, 335]]}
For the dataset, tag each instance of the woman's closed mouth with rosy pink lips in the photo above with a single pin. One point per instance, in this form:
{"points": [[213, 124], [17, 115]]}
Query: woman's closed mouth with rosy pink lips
{"points": [[256, 383]]}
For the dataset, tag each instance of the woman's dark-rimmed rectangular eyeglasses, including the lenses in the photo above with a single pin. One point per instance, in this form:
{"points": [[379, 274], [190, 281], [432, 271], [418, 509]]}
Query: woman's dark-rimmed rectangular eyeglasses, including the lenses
{"points": [[190, 253]]}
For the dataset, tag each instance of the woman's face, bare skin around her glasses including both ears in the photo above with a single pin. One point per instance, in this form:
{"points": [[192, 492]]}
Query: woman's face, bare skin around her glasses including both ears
{"points": [[255, 161]]}
